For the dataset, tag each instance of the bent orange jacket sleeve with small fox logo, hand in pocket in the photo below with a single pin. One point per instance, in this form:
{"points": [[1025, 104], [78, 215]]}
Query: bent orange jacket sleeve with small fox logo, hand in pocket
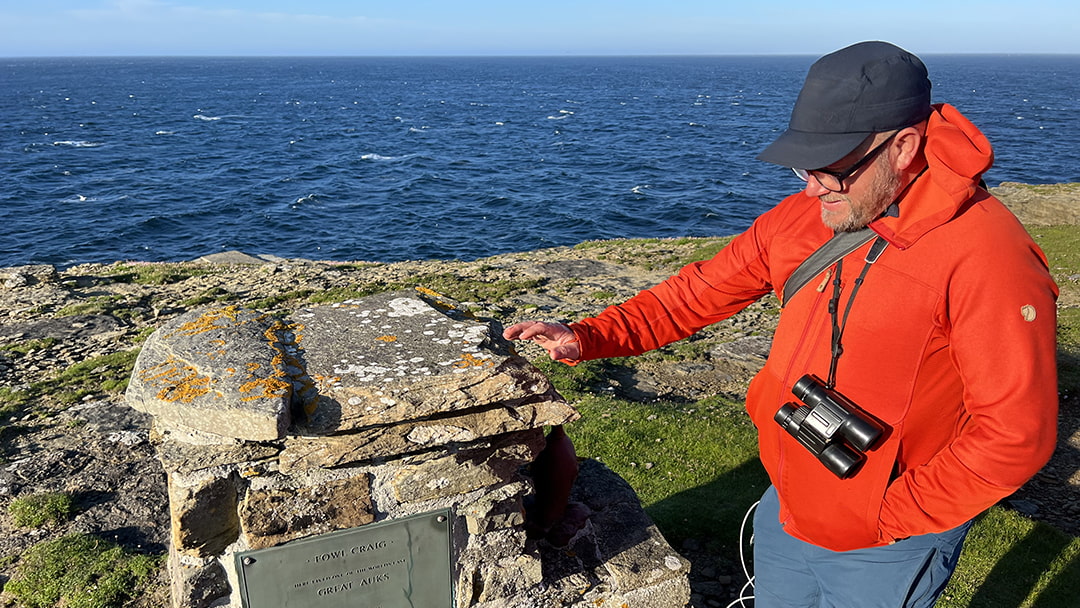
{"points": [[1002, 316]]}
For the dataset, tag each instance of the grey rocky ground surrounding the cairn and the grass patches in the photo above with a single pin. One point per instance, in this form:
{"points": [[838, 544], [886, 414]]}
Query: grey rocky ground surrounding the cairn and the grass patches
{"points": [[66, 335]]}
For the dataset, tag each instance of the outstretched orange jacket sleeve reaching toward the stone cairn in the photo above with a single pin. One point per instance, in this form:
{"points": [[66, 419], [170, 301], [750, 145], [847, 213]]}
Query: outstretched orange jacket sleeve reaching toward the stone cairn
{"points": [[699, 295]]}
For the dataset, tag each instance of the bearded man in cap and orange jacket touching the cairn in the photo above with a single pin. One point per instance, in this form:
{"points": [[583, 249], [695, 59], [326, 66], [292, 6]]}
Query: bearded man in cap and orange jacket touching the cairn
{"points": [[936, 335]]}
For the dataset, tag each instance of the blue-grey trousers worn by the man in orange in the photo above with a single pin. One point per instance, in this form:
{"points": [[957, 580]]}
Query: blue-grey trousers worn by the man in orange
{"points": [[790, 573]]}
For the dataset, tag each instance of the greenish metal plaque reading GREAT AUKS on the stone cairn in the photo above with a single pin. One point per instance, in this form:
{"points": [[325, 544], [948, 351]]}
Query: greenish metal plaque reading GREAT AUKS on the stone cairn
{"points": [[397, 564]]}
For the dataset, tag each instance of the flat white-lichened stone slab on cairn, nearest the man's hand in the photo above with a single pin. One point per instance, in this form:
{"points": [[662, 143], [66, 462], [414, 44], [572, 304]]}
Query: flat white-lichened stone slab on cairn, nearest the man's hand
{"points": [[407, 356]]}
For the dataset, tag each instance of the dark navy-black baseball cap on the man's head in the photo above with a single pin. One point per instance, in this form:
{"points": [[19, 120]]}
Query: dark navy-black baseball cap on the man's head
{"points": [[849, 94]]}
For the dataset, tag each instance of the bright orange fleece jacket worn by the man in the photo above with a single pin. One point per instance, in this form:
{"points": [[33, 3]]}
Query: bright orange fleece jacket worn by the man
{"points": [[951, 343]]}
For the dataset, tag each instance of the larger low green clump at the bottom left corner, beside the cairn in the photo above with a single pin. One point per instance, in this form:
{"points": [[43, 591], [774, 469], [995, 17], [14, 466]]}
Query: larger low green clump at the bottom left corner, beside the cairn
{"points": [[79, 572]]}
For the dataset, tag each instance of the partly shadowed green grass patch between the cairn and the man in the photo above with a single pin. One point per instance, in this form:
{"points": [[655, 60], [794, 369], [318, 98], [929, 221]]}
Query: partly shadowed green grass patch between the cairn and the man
{"points": [[694, 467]]}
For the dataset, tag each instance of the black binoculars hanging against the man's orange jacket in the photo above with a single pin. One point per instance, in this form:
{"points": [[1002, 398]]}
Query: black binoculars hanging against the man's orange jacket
{"points": [[830, 426]]}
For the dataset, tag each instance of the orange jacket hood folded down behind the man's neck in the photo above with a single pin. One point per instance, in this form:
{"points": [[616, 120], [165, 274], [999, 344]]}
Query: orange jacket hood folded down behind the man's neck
{"points": [[957, 155]]}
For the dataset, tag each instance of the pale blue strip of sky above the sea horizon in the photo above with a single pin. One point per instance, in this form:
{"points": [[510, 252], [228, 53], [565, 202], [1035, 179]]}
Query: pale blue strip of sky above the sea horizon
{"points": [[508, 28]]}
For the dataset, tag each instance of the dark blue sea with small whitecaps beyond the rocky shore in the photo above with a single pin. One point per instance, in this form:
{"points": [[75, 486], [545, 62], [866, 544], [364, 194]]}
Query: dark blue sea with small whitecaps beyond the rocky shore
{"points": [[387, 159]]}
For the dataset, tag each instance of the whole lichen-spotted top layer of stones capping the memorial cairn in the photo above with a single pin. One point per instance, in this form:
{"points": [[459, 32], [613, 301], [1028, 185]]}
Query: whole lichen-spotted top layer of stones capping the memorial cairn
{"points": [[389, 359]]}
